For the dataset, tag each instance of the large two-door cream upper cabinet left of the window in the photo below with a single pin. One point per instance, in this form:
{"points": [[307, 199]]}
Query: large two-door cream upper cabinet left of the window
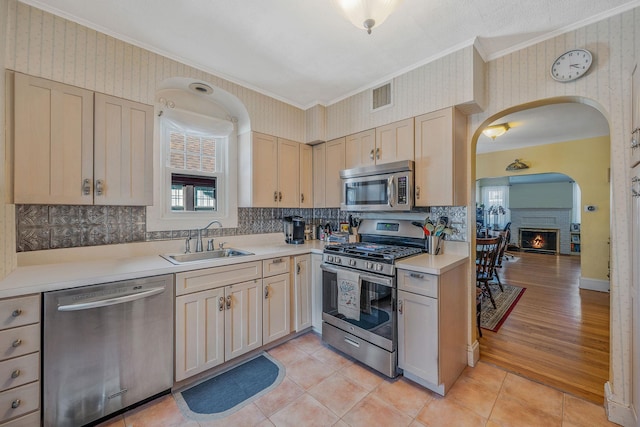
{"points": [[76, 147]]}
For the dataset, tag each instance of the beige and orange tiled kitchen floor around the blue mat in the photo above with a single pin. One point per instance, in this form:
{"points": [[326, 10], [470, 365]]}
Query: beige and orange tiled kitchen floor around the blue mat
{"points": [[324, 388]]}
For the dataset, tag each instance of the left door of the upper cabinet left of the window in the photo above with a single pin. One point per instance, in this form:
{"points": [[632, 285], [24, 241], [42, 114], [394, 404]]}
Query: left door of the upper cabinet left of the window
{"points": [[53, 149]]}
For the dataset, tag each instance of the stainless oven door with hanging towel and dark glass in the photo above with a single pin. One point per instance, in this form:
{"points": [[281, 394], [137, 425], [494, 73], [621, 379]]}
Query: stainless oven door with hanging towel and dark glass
{"points": [[361, 304]]}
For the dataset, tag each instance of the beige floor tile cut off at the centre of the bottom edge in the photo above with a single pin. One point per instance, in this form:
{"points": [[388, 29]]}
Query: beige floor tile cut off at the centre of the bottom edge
{"points": [[305, 411]]}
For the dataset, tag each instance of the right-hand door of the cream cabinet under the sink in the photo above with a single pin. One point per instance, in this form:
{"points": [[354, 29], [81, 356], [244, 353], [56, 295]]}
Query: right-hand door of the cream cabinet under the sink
{"points": [[243, 318]]}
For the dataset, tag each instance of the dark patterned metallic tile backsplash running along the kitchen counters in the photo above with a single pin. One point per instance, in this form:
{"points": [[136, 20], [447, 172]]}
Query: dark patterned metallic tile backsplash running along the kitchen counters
{"points": [[42, 227]]}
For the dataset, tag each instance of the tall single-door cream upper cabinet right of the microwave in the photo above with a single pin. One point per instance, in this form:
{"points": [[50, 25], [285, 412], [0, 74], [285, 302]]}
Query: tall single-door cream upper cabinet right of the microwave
{"points": [[440, 158]]}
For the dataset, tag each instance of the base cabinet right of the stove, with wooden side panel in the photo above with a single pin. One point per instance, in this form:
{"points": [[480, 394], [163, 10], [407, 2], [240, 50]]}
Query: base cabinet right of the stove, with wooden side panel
{"points": [[432, 323]]}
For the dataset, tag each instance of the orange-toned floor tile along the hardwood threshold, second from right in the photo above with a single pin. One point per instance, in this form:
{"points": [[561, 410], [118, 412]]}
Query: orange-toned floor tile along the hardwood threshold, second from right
{"points": [[534, 404]]}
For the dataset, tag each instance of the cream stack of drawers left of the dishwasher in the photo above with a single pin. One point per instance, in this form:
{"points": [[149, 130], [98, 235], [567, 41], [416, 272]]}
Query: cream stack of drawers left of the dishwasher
{"points": [[20, 360]]}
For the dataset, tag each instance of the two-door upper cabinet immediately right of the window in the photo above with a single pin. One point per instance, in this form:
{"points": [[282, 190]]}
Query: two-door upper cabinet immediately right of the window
{"points": [[270, 175]]}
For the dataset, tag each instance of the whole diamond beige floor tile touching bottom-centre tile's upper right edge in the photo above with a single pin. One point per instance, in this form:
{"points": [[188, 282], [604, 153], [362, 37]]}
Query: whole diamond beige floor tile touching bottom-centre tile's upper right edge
{"points": [[338, 393]]}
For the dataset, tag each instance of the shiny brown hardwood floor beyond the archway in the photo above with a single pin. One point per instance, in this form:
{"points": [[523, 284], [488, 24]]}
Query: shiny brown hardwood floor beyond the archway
{"points": [[557, 334]]}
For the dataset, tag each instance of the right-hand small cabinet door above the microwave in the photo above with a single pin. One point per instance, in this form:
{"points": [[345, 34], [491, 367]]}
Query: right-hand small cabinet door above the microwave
{"points": [[395, 142]]}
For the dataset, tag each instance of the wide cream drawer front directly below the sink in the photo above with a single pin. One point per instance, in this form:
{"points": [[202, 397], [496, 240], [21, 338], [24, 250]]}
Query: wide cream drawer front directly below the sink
{"points": [[210, 278]]}
